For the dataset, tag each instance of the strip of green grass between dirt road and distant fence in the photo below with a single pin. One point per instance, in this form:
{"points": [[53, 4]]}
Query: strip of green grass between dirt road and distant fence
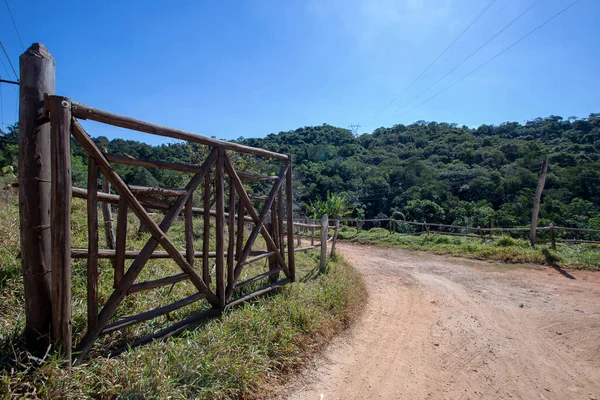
{"points": [[498, 248]]}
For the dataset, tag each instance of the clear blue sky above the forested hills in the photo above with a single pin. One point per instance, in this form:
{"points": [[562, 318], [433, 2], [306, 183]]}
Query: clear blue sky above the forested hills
{"points": [[249, 68]]}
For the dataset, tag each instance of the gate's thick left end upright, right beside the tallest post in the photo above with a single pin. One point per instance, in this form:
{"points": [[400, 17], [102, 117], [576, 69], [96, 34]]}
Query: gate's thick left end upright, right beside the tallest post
{"points": [[60, 228]]}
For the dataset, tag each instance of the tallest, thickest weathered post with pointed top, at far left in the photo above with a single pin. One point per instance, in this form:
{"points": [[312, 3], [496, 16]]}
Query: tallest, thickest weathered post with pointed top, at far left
{"points": [[37, 70]]}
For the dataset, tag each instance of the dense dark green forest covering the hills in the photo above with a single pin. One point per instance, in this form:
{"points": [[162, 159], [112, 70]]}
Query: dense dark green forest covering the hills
{"points": [[438, 172]]}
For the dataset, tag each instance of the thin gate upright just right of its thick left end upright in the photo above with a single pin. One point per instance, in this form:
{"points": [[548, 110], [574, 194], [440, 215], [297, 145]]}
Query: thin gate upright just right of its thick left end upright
{"points": [[92, 261]]}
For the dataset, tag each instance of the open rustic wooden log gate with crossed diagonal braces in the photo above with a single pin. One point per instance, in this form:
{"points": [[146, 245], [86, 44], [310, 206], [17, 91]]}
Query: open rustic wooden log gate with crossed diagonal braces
{"points": [[230, 259]]}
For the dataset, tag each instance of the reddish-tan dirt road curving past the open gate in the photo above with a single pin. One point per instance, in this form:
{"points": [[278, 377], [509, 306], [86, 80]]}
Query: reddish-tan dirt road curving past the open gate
{"points": [[438, 327]]}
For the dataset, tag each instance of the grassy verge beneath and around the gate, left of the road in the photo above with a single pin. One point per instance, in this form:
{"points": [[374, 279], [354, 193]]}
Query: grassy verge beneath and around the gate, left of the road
{"points": [[247, 352]]}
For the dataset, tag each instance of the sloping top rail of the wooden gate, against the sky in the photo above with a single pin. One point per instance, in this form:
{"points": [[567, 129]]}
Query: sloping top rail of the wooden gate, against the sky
{"points": [[85, 112]]}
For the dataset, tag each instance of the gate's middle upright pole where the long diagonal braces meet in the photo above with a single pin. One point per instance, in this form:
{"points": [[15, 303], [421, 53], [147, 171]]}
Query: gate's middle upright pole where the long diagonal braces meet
{"points": [[220, 229]]}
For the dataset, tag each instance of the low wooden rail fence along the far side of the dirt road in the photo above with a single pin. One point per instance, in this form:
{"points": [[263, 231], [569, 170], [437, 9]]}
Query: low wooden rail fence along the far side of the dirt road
{"points": [[393, 225]]}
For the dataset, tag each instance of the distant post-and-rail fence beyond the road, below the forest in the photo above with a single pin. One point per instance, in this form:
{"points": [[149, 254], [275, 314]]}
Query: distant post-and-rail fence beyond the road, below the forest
{"points": [[479, 232]]}
